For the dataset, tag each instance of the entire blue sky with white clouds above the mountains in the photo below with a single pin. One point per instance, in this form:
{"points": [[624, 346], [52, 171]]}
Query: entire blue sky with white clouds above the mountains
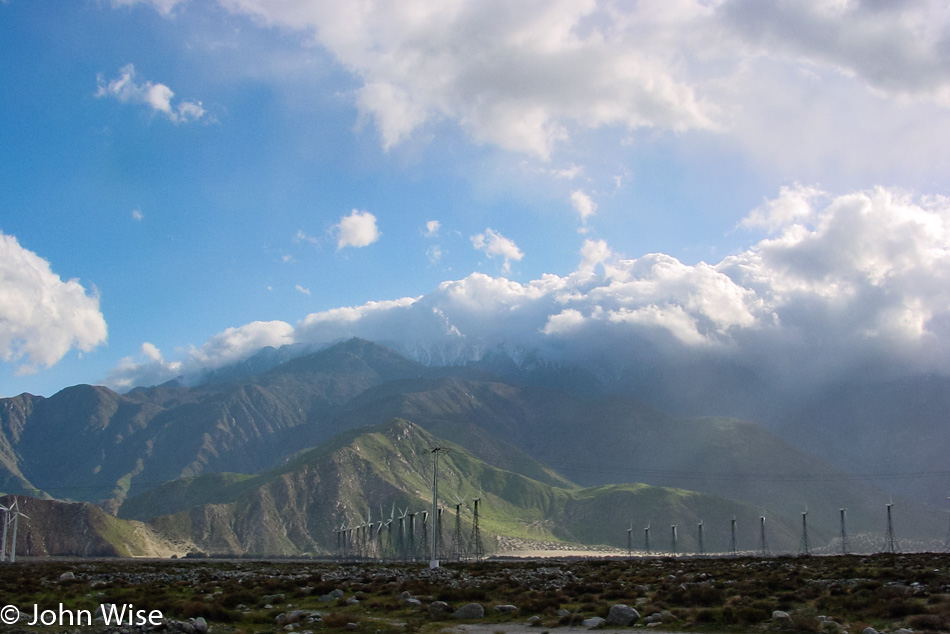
{"points": [[186, 181]]}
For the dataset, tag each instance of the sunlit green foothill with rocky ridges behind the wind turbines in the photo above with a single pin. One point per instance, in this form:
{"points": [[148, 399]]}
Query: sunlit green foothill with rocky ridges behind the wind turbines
{"points": [[385, 471]]}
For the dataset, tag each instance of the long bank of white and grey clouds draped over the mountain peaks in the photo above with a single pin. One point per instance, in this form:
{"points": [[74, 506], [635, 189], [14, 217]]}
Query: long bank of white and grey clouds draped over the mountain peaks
{"points": [[845, 285]]}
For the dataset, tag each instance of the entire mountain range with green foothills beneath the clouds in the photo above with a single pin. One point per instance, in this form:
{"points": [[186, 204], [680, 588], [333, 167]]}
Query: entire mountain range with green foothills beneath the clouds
{"points": [[274, 455]]}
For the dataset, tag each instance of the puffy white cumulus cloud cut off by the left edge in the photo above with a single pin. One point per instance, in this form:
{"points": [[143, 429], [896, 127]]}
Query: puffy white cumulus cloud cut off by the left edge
{"points": [[42, 317]]}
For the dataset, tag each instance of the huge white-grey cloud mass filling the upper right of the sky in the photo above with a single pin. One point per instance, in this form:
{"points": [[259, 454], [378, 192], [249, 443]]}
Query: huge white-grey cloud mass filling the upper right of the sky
{"points": [[821, 91]]}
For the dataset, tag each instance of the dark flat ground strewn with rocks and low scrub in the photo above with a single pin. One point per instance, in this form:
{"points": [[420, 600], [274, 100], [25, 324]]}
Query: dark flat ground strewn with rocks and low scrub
{"points": [[832, 595]]}
